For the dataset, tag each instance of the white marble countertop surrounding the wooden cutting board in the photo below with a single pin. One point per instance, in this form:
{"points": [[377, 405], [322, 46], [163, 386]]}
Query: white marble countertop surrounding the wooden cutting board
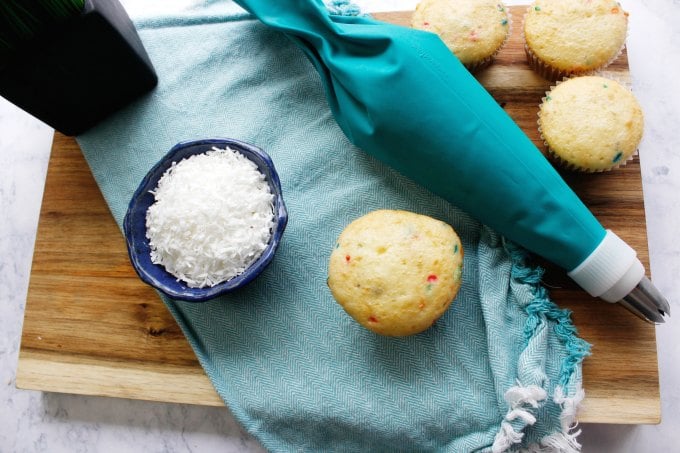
{"points": [[34, 422]]}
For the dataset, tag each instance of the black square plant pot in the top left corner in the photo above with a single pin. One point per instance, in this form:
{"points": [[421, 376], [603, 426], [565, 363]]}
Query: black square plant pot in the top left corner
{"points": [[75, 74]]}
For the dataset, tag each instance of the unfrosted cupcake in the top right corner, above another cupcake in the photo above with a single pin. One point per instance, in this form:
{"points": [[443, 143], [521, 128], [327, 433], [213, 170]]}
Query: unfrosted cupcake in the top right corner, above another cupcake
{"points": [[568, 37]]}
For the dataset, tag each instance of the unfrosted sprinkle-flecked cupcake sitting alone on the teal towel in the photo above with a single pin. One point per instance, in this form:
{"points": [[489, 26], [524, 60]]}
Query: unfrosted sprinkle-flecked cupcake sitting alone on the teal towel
{"points": [[396, 272]]}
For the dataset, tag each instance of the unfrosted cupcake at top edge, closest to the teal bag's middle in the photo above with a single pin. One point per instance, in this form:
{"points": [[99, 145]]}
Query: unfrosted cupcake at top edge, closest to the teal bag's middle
{"points": [[474, 30]]}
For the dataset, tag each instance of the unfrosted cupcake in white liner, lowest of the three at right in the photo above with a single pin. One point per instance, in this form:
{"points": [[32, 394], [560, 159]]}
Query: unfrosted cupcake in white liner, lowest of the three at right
{"points": [[591, 123]]}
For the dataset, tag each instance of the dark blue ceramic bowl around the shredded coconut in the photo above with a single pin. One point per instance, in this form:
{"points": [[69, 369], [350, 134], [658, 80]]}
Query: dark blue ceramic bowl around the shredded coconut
{"points": [[134, 224]]}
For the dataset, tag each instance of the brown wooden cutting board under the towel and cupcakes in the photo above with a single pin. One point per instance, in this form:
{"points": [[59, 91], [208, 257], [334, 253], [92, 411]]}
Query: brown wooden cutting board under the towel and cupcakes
{"points": [[92, 327]]}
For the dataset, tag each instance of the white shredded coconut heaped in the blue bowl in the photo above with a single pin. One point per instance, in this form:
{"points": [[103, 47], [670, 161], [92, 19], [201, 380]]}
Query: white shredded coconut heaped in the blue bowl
{"points": [[212, 217]]}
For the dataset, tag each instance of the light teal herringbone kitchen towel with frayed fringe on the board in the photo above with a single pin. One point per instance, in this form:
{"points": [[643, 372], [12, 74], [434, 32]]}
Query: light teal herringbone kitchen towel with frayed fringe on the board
{"points": [[500, 371]]}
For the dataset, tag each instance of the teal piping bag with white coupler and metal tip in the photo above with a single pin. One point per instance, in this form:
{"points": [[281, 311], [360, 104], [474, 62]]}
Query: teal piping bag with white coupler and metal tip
{"points": [[400, 95]]}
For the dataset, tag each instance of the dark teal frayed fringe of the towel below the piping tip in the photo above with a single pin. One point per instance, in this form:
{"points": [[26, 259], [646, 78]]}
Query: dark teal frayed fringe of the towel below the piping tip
{"points": [[542, 308]]}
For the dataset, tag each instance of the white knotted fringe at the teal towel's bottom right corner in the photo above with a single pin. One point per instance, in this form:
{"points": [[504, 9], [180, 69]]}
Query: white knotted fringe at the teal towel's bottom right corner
{"points": [[520, 400]]}
